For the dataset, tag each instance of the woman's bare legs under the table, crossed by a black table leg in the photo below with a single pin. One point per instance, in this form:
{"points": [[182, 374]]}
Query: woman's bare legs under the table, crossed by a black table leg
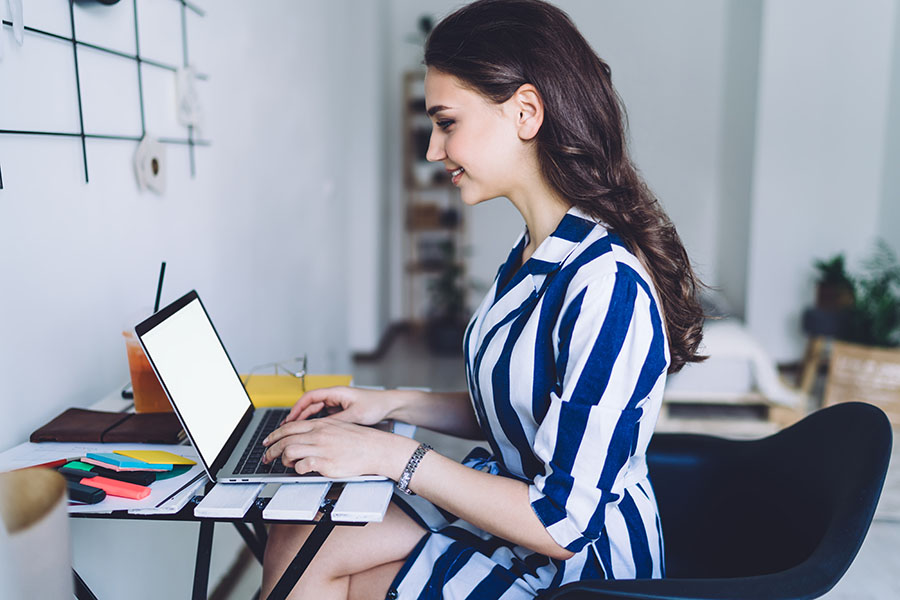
{"points": [[375, 552]]}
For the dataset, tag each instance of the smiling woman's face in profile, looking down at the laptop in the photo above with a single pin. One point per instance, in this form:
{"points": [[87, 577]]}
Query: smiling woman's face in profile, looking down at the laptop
{"points": [[476, 139]]}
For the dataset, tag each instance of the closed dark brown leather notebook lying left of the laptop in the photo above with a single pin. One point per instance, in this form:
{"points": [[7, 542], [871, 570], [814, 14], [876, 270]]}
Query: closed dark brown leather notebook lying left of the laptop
{"points": [[82, 425]]}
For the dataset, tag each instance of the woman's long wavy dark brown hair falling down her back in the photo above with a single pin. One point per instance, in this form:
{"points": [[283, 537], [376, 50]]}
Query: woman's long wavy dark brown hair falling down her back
{"points": [[494, 47]]}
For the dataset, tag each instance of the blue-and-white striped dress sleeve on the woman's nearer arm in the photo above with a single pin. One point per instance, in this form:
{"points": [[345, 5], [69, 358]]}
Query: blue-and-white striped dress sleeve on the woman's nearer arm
{"points": [[611, 353]]}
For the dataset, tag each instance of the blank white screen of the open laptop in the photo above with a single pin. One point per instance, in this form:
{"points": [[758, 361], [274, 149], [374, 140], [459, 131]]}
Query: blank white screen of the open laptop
{"points": [[199, 377]]}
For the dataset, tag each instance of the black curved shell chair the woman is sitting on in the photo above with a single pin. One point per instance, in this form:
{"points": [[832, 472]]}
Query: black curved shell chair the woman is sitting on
{"points": [[779, 518]]}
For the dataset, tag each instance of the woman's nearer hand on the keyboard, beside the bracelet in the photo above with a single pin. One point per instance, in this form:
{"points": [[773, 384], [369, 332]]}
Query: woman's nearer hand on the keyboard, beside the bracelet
{"points": [[338, 449]]}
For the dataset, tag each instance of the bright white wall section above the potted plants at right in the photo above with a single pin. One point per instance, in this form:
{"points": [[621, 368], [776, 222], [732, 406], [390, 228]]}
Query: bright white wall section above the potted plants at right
{"points": [[820, 138]]}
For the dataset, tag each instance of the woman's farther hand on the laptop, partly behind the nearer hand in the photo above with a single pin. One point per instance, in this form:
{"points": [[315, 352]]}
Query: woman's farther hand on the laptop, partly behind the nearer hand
{"points": [[352, 405]]}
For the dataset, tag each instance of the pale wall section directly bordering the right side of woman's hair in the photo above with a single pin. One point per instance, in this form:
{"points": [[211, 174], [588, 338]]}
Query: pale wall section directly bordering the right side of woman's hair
{"points": [[667, 61]]}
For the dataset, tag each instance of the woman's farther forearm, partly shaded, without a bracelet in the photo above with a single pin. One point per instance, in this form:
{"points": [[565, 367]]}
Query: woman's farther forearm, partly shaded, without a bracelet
{"points": [[445, 412]]}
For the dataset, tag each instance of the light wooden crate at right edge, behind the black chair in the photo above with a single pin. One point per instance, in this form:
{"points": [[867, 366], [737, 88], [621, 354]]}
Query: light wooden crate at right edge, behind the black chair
{"points": [[865, 374]]}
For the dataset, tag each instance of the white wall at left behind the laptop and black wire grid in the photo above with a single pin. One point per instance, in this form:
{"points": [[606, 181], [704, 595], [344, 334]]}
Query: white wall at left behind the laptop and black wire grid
{"points": [[261, 231]]}
